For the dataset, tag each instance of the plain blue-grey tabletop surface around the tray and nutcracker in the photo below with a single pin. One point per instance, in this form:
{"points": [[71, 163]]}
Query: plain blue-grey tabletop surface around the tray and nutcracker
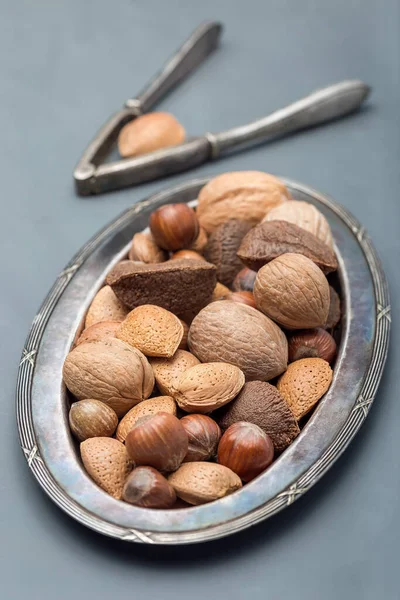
{"points": [[64, 67]]}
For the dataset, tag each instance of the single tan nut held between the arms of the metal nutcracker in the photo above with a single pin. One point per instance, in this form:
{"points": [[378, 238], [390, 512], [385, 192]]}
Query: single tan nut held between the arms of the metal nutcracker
{"points": [[148, 133]]}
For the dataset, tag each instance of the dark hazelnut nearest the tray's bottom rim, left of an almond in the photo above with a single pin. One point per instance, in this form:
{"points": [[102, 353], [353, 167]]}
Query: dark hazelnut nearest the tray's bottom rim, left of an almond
{"points": [[146, 487]]}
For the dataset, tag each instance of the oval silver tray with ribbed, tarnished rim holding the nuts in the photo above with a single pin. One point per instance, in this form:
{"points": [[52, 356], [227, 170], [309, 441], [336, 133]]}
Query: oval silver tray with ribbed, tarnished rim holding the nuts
{"points": [[42, 402]]}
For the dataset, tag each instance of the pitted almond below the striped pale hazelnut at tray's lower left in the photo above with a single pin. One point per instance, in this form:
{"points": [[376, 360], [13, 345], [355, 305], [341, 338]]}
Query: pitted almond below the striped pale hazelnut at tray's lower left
{"points": [[107, 462]]}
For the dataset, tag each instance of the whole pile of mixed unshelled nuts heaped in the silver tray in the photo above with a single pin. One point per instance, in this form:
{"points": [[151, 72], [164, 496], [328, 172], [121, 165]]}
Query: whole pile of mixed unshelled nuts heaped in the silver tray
{"points": [[181, 383]]}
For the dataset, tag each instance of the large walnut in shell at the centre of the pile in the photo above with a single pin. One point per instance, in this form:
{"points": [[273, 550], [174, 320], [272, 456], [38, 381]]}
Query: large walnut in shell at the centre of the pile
{"points": [[240, 335]]}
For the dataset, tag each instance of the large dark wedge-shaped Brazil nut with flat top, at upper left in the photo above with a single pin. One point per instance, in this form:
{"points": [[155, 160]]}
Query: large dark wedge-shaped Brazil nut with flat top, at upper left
{"points": [[180, 286]]}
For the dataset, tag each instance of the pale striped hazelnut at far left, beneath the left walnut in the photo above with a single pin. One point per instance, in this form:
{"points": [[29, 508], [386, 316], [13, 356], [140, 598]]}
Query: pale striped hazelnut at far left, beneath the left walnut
{"points": [[92, 418]]}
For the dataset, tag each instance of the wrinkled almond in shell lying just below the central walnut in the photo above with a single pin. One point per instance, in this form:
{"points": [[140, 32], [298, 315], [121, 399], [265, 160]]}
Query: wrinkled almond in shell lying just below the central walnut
{"points": [[205, 387]]}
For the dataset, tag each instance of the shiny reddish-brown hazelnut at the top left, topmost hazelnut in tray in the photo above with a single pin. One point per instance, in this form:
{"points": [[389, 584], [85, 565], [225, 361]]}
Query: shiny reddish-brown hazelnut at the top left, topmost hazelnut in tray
{"points": [[174, 226]]}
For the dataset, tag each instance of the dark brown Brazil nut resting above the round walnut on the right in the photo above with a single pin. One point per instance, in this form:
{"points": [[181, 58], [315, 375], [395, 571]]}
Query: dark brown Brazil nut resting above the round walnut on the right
{"points": [[274, 238]]}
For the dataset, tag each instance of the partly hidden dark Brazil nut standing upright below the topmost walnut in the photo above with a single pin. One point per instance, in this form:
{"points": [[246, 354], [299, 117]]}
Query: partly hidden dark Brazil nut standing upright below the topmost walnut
{"points": [[222, 247]]}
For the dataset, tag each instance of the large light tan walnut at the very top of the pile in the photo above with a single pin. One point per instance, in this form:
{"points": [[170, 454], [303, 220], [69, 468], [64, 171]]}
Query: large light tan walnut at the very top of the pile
{"points": [[244, 195]]}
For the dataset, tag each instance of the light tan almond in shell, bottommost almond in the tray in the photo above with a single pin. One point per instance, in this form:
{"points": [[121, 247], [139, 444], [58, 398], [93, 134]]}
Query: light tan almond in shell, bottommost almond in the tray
{"points": [[201, 482]]}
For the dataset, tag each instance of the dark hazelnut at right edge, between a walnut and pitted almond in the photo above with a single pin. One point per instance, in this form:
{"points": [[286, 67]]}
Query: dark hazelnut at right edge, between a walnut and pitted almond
{"points": [[312, 343]]}
